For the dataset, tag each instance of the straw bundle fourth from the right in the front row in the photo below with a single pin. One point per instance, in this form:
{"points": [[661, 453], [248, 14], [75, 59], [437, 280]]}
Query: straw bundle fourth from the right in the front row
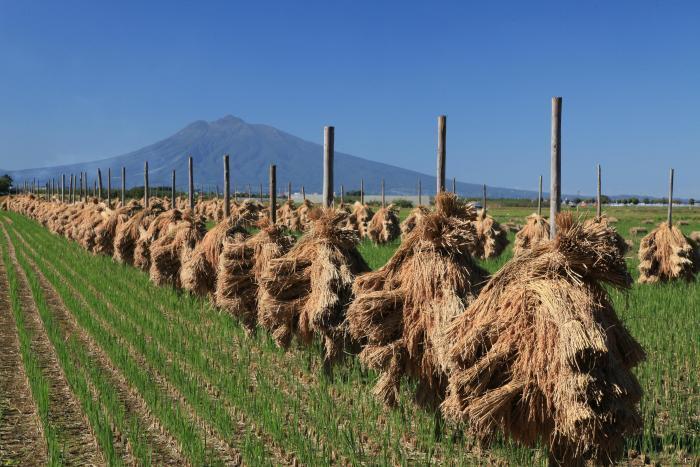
{"points": [[240, 266]]}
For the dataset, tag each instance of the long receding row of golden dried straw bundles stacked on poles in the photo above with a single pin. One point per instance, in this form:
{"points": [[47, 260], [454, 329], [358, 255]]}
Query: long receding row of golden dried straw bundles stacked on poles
{"points": [[535, 351]]}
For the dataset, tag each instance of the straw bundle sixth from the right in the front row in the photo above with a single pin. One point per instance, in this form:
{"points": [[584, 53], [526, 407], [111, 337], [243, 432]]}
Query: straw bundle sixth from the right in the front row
{"points": [[168, 249]]}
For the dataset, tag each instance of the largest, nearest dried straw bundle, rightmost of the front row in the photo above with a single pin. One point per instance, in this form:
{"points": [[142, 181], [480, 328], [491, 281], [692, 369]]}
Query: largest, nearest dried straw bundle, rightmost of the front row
{"points": [[541, 354]]}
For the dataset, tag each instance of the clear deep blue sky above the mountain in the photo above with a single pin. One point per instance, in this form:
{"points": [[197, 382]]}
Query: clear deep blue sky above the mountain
{"points": [[85, 80]]}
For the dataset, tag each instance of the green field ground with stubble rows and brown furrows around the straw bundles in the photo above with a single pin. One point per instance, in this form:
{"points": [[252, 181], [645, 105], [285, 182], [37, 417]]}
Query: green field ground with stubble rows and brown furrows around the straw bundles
{"points": [[98, 365]]}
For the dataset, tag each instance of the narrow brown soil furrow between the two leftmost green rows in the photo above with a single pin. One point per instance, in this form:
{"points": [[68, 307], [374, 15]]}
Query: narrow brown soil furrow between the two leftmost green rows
{"points": [[78, 440]]}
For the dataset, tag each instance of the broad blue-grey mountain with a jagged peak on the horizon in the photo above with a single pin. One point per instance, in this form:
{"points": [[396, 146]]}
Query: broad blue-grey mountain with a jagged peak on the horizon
{"points": [[252, 147]]}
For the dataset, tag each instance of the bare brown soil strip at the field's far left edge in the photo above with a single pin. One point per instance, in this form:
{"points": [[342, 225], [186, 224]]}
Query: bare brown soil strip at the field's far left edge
{"points": [[21, 435]]}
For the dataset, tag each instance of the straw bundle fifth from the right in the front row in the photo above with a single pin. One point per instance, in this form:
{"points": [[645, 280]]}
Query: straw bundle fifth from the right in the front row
{"points": [[200, 265]]}
